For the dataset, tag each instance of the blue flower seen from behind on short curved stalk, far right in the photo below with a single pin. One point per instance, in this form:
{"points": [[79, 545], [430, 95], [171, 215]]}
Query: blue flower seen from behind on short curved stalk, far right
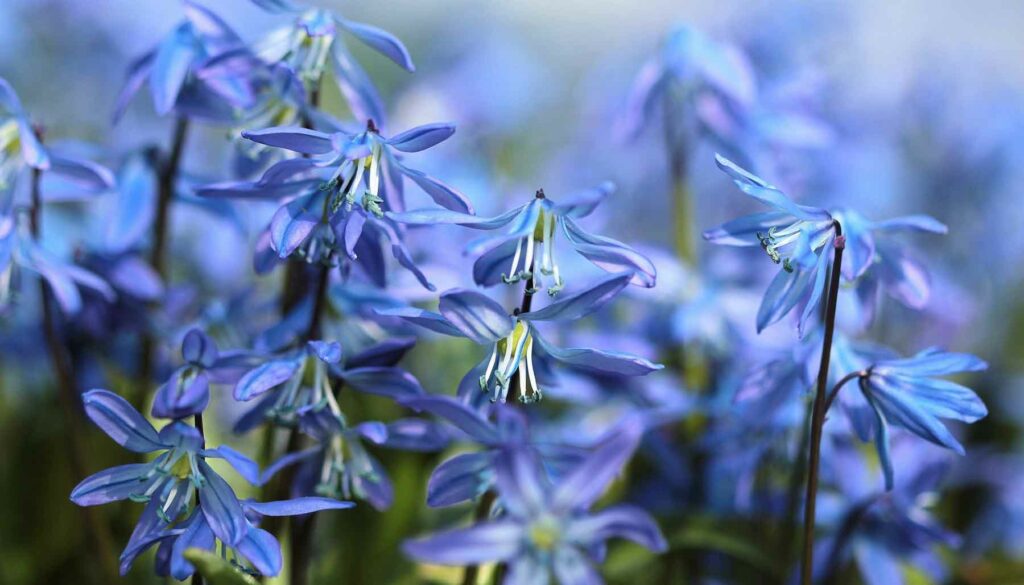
{"points": [[909, 394]]}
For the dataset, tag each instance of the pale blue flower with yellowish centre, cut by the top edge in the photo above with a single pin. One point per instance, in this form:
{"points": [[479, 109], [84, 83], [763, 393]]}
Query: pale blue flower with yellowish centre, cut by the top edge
{"points": [[308, 46]]}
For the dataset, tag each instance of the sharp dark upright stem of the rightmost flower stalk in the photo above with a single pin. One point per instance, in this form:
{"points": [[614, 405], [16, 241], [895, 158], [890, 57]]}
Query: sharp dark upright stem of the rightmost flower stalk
{"points": [[819, 413]]}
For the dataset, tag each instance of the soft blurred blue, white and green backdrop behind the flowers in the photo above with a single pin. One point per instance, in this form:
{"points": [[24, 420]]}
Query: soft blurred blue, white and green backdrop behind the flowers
{"points": [[920, 106]]}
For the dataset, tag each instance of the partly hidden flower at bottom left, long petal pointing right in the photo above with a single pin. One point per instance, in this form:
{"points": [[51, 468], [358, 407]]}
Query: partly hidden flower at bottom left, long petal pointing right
{"points": [[260, 548]]}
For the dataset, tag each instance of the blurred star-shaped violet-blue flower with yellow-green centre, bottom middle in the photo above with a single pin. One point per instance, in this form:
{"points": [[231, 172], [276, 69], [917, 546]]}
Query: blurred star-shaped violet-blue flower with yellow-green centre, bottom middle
{"points": [[547, 529]]}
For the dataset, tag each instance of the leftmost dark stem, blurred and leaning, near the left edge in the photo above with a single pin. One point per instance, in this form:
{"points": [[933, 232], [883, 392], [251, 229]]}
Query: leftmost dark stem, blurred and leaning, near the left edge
{"points": [[69, 399]]}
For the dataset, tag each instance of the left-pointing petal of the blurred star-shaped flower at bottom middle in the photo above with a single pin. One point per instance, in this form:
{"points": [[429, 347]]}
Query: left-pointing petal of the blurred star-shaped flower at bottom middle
{"points": [[488, 542]]}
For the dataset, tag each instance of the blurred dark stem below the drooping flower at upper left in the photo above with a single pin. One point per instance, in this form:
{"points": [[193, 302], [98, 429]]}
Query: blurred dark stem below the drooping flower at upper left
{"points": [[166, 182]]}
